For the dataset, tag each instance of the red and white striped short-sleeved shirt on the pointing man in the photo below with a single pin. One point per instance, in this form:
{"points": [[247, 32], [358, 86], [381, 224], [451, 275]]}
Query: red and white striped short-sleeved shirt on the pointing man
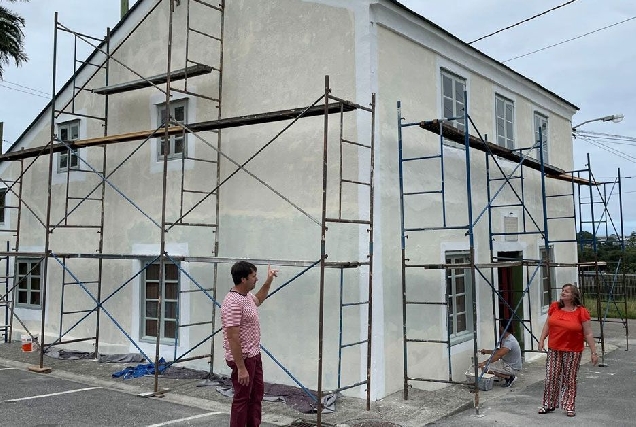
{"points": [[241, 310]]}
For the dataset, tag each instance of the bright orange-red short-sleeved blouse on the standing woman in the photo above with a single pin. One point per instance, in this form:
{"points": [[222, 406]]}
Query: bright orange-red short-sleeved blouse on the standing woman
{"points": [[565, 328]]}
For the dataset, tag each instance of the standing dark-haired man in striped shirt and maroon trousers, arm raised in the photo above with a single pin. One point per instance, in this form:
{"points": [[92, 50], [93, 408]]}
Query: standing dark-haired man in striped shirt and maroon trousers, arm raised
{"points": [[241, 341]]}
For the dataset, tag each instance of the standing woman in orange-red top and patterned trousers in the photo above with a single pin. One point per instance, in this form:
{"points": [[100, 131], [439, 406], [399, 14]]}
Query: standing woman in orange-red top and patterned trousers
{"points": [[567, 327]]}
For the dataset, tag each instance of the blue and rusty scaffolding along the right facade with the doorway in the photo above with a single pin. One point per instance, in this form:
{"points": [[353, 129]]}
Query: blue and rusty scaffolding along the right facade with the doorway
{"points": [[417, 163]]}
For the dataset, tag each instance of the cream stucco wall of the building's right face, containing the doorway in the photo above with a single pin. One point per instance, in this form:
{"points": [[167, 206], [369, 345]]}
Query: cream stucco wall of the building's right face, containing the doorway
{"points": [[410, 59]]}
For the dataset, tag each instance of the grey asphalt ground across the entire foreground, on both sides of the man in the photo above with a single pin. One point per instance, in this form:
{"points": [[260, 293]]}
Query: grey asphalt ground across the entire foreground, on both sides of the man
{"points": [[83, 392]]}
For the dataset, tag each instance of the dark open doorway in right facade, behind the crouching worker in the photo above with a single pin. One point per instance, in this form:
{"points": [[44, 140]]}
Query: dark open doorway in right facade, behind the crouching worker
{"points": [[511, 291]]}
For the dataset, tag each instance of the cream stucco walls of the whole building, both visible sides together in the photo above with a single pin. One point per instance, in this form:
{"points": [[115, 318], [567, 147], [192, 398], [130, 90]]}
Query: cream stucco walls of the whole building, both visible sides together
{"points": [[276, 55]]}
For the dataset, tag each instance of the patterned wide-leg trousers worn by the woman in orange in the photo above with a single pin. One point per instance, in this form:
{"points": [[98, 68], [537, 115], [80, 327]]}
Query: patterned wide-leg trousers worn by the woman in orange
{"points": [[561, 368]]}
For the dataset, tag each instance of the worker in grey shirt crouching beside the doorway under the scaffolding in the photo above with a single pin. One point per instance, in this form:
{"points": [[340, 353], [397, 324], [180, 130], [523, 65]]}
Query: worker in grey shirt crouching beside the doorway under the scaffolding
{"points": [[505, 362]]}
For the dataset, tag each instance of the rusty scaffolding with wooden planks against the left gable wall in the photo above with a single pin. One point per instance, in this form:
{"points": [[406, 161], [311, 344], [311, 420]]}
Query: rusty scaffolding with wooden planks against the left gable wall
{"points": [[83, 296]]}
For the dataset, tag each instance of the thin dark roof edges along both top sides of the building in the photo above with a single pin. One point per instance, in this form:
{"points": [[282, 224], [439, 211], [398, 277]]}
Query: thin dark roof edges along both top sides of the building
{"points": [[395, 2]]}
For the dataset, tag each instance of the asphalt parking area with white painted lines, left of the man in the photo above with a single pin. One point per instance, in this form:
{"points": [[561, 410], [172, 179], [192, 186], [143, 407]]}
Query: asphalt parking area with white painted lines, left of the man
{"points": [[29, 398]]}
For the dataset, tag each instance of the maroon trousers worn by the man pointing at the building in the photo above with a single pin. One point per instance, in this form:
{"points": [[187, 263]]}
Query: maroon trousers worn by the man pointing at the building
{"points": [[246, 406]]}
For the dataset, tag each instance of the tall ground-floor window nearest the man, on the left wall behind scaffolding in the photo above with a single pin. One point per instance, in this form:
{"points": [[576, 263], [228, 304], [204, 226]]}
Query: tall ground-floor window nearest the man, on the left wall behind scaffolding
{"points": [[170, 302]]}
